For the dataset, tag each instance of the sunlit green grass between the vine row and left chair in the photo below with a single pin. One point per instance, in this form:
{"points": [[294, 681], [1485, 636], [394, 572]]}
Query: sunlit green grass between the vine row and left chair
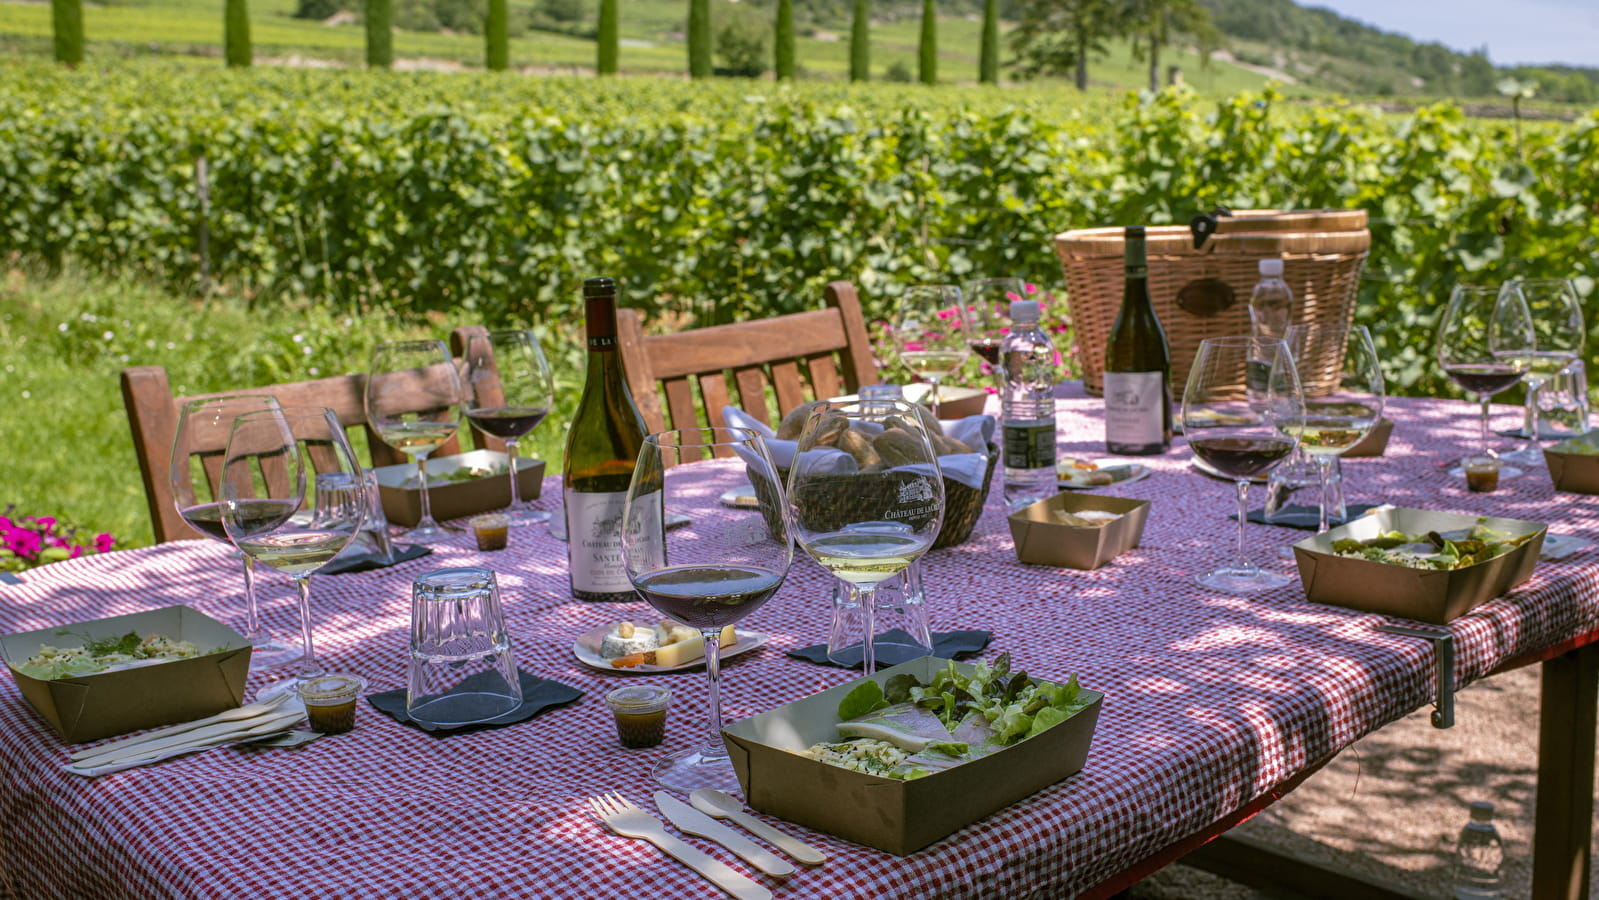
{"points": [[66, 338]]}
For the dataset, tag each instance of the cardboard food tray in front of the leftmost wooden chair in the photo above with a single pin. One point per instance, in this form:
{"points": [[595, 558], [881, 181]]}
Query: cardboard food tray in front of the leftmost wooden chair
{"points": [[455, 500]]}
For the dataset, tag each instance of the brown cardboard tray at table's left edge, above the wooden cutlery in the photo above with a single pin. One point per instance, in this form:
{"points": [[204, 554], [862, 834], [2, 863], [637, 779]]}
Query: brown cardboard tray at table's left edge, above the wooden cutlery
{"points": [[89, 707]]}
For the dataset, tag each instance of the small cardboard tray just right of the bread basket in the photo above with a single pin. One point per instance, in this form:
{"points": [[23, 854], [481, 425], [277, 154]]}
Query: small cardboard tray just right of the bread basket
{"points": [[1043, 540]]}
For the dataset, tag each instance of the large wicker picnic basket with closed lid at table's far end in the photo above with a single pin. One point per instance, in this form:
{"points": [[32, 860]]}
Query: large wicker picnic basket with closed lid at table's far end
{"points": [[1202, 282]]}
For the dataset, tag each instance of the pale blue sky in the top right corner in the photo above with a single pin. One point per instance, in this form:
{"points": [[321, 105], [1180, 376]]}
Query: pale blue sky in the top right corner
{"points": [[1513, 31]]}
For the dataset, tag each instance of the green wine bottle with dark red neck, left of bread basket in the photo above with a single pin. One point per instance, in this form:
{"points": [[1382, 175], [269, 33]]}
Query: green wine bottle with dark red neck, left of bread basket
{"points": [[602, 450]]}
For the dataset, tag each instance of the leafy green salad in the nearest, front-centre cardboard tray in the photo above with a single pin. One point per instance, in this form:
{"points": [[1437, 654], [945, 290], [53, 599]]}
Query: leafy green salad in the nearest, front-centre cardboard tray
{"points": [[909, 730]]}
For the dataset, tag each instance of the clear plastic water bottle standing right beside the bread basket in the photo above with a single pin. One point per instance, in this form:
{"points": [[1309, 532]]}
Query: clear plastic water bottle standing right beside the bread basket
{"points": [[1027, 408]]}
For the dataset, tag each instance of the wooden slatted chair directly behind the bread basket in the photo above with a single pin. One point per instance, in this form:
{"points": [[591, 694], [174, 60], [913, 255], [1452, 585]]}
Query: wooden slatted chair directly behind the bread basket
{"points": [[799, 357]]}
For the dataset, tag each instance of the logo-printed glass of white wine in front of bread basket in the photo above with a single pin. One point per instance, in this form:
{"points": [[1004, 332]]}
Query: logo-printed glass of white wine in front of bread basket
{"points": [[867, 498]]}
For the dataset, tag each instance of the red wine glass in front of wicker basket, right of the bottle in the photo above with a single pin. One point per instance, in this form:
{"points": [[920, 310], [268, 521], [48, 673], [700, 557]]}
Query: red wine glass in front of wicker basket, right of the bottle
{"points": [[1242, 415]]}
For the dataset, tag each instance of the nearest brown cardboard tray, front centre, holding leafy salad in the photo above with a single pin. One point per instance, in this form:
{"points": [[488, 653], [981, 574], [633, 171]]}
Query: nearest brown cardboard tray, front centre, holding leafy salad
{"points": [[893, 816]]}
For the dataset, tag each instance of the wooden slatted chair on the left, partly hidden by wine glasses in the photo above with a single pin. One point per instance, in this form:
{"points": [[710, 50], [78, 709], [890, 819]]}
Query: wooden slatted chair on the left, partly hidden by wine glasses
{"points": [[153, 416]]}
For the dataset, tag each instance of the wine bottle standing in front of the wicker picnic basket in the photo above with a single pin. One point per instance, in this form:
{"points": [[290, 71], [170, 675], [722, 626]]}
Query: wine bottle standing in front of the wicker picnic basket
{"points": [[1138, 365]]}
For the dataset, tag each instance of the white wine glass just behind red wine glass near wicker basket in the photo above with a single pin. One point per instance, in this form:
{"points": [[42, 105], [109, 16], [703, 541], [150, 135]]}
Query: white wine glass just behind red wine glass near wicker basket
{"points": [[1342, 383]]}
